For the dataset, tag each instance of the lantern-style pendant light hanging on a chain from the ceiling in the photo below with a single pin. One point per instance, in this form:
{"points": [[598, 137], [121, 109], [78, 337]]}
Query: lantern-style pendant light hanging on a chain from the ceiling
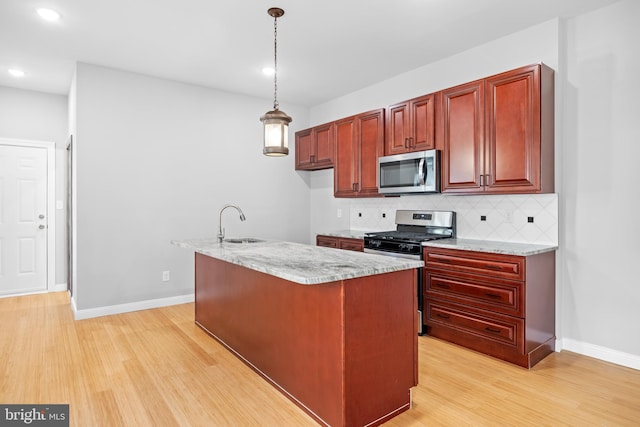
{"points": [[276, 122]]}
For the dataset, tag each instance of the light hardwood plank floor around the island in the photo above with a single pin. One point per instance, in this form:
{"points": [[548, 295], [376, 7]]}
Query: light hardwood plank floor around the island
{"points": [[157, 368]]}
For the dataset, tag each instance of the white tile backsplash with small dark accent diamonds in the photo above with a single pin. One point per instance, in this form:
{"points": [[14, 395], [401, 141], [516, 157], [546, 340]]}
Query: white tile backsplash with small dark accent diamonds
{"points": [[508, 218]]}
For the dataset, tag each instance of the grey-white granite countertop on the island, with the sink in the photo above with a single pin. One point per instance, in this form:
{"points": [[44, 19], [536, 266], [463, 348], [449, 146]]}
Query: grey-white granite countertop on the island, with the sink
{"points": [[304, 264]]}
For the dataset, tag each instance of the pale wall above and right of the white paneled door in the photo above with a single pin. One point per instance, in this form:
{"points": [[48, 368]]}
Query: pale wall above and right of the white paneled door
{"points": [[41, 116]]}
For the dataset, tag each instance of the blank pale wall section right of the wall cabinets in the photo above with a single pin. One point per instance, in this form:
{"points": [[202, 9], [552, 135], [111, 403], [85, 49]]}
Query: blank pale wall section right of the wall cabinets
{"points": [[601, 149]]}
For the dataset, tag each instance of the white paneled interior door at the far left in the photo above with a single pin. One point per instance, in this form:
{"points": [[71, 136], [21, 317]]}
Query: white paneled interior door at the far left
{"points": [[23, 219]]}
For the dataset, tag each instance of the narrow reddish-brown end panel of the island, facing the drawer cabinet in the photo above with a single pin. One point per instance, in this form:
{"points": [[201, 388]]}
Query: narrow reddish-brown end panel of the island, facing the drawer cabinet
{"points": [[381, 345]]}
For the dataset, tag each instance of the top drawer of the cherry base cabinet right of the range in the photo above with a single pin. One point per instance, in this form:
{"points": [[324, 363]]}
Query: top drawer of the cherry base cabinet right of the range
{"points": [[487, 264]]}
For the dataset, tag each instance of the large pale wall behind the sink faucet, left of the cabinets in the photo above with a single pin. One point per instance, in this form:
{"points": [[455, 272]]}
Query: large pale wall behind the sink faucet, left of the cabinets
{"points": [[156, 160]]}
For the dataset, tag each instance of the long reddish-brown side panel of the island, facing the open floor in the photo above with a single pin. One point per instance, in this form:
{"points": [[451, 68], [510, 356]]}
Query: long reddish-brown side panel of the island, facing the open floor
{"points": [[290, 333]]}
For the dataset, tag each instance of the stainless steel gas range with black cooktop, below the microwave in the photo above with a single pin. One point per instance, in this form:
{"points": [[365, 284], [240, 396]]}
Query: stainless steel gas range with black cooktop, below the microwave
{"points": [[412, 229]]}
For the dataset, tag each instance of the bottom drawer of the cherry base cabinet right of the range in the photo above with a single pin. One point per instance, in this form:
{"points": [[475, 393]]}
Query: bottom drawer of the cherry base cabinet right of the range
{"points": [[496, 328]]}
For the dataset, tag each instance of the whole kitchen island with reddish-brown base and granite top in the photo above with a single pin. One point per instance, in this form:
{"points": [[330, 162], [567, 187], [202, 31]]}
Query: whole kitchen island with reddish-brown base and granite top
{"points": [[334, 331]]}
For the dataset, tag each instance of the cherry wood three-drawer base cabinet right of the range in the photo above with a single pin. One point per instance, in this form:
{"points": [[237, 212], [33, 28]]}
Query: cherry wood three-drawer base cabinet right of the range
{"points": [[500, 305]]}
